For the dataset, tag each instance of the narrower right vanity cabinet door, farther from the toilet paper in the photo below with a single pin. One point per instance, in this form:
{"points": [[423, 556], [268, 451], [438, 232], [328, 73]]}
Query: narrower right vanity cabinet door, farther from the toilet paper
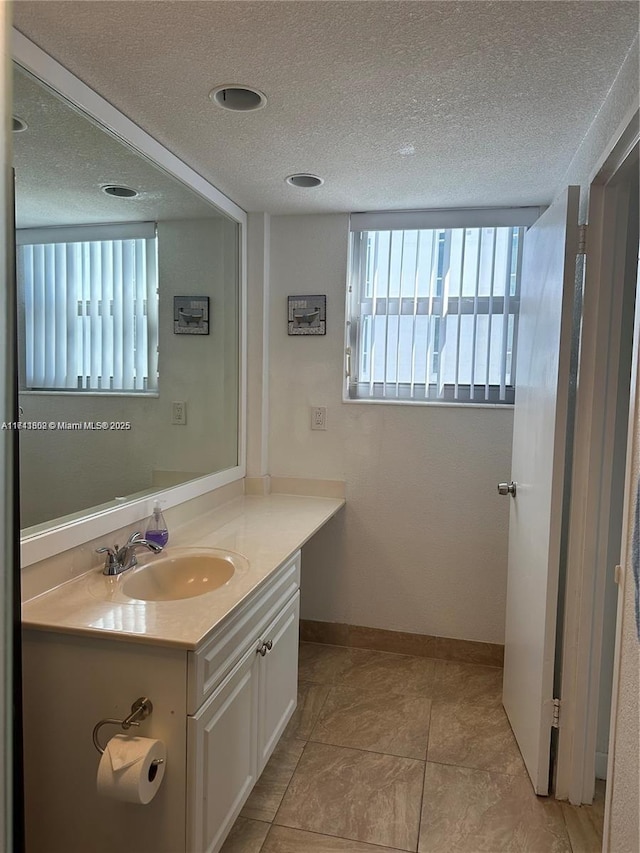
{"points": [[278, 678]]}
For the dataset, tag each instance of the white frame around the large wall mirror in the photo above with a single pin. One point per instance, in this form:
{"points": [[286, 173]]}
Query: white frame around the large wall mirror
{"points": [[61, 537]]}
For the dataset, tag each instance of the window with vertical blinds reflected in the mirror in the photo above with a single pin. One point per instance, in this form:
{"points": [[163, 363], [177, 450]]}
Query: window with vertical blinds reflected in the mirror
{"points": [[88, 300]]}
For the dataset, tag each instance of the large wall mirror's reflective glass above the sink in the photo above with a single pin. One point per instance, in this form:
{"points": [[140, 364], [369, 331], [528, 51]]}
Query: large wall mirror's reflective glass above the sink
{"points": [[97, 275]]}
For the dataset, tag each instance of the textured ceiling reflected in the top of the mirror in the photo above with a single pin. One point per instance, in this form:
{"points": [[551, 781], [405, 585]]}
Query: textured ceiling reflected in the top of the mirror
{"points": [[62, 160]]}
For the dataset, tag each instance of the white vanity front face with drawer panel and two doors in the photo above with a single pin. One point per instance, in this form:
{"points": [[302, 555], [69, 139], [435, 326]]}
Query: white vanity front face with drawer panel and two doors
{"points": [[233, 733]]}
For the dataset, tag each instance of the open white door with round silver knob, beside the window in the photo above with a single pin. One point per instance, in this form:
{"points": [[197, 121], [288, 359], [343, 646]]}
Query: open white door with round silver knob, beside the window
{"points": [[538, 471]]}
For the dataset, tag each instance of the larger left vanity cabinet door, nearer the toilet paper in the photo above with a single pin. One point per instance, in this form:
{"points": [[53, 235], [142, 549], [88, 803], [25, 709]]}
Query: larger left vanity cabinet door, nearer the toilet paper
{"points": [[222, 749]]}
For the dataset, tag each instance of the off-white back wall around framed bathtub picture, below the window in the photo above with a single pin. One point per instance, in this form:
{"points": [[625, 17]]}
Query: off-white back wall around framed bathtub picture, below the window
{"points": [[422, 544]]}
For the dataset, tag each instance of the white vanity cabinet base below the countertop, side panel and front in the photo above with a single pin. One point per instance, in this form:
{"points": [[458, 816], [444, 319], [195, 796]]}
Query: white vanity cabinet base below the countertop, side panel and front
{"points": [[220, 710]]}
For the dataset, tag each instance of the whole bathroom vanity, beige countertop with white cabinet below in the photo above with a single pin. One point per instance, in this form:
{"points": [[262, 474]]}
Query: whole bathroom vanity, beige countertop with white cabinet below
{"points": [[220, 669]]}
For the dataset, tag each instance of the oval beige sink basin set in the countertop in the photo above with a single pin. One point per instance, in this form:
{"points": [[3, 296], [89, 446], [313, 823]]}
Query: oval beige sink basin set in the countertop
{"points": [[182, 573]]}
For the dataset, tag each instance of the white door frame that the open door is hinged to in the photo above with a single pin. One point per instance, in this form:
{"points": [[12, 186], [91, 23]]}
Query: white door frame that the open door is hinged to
{"points": [[592, 478]]}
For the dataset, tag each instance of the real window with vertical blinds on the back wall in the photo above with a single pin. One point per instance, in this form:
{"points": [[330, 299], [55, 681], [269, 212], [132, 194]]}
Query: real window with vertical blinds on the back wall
{"points": [[433, 311]]}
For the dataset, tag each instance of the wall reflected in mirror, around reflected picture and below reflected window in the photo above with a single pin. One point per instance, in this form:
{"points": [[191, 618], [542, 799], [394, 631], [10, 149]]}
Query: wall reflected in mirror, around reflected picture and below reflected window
{"points": [[62, 472]]}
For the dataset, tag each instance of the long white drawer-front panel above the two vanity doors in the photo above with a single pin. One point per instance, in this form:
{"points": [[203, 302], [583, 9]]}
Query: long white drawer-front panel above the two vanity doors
{"points": [[210, 664]]}
